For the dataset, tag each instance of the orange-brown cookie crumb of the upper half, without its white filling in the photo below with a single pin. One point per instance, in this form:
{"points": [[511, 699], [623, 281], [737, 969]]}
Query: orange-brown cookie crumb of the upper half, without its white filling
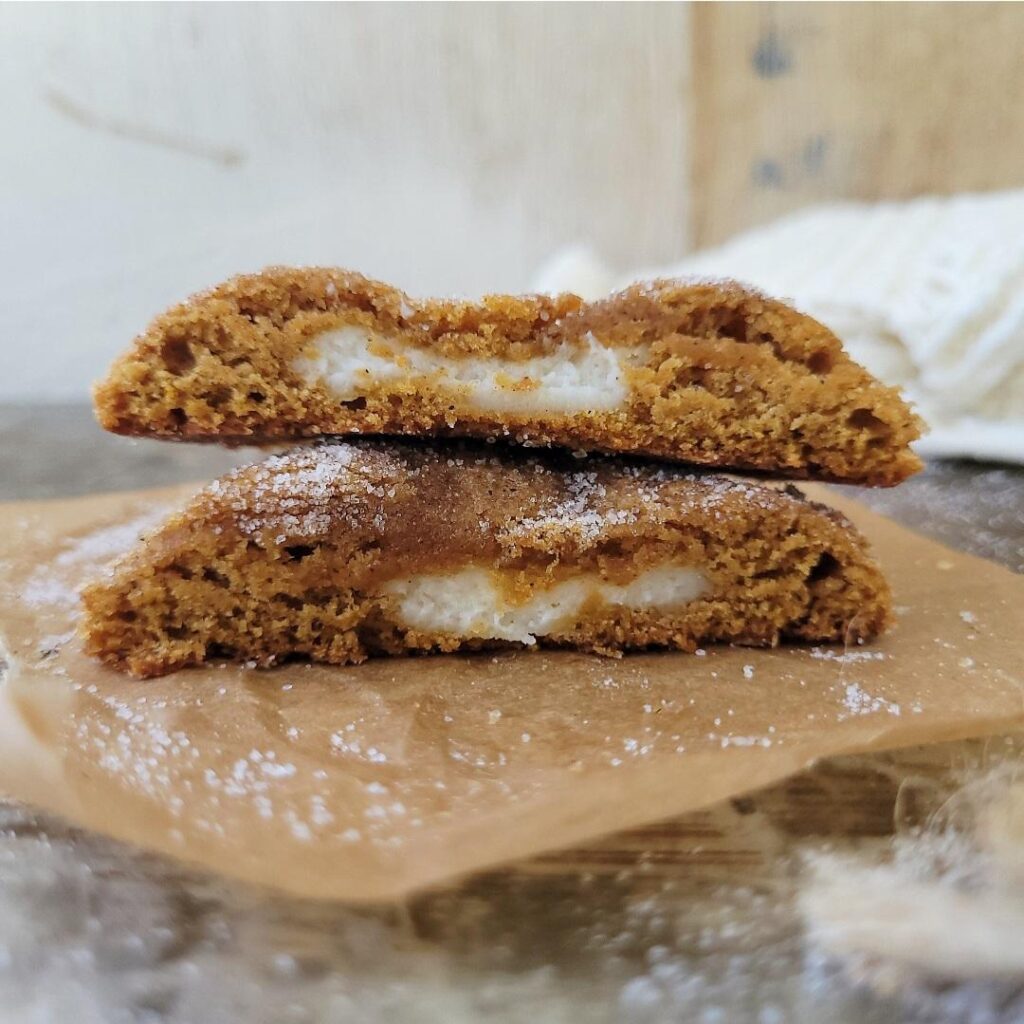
{"points": [[730, 378]]}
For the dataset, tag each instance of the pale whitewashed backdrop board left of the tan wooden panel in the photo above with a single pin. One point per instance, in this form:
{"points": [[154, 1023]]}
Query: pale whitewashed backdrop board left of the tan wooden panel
{"points": [[148, 151]]}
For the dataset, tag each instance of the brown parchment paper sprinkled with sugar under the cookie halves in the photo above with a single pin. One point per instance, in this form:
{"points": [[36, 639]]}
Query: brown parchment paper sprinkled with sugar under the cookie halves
{"points": [[369, 783]]}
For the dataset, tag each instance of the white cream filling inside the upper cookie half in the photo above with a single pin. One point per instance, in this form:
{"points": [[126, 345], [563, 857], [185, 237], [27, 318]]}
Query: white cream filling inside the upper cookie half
{"points": [[578, 380]]}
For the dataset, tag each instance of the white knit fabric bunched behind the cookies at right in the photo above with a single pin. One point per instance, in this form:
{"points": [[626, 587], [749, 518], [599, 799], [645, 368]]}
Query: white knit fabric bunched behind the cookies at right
{"points": [[928, 294]]}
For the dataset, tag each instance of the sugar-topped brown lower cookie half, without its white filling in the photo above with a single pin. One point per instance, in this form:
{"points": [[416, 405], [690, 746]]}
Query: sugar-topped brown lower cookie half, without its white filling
{"points": [[288, 558]]}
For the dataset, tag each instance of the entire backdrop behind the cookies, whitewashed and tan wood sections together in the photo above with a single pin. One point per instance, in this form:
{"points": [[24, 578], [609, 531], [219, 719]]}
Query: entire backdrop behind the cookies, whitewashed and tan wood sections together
{"points": [[153, 149]]}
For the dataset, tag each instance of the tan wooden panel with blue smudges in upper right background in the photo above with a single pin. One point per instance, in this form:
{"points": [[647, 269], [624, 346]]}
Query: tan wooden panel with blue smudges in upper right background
{"points": [[797, 104]]}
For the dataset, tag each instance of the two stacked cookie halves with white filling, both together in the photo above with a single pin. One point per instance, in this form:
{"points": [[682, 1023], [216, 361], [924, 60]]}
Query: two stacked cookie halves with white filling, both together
{"points": [[538, 474]]}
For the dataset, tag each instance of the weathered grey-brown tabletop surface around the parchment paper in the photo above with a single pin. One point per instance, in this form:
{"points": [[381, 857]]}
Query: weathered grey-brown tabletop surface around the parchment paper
{"points": [[93, 930]]}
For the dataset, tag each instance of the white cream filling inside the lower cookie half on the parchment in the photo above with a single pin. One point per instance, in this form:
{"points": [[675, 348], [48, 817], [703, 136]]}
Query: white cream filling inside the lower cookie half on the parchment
{"points": [[472, 603]]}
